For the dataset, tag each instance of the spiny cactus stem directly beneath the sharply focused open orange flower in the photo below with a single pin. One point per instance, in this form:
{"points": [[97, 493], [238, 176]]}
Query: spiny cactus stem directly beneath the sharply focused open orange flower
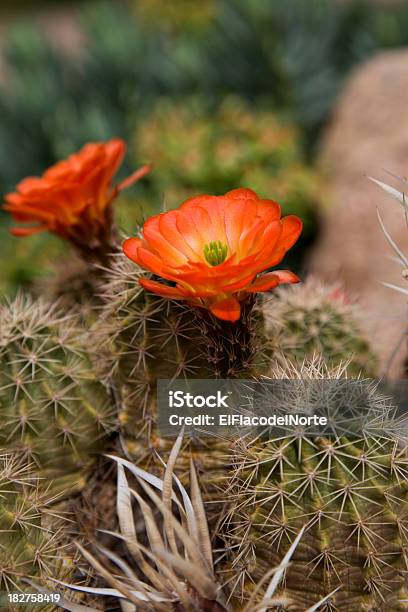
{"points": [[151, 338]]}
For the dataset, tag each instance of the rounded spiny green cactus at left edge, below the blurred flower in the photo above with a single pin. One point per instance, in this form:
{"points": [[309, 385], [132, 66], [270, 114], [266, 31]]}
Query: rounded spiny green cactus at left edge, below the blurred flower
{"points": [[53, 410]]}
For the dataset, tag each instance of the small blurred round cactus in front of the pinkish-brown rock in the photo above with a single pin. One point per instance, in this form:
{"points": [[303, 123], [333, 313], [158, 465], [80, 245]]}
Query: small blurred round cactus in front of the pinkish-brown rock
{"points": [[313, 318]]}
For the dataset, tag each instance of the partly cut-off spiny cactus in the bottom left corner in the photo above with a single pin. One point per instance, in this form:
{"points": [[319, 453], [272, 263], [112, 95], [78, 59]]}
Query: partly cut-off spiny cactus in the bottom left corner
{"points": [[31, 544]]}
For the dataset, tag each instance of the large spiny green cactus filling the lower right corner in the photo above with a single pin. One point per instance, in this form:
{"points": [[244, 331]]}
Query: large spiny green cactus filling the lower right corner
{"points": [[350, 492]]}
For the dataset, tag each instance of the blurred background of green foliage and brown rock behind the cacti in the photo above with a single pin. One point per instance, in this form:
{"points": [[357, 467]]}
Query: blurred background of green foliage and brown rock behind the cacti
{"points": [[298, 100]]}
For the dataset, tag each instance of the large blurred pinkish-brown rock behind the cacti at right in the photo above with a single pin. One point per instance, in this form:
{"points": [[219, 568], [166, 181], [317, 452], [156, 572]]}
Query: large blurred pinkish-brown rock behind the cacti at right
{"points": [[368, 133]]}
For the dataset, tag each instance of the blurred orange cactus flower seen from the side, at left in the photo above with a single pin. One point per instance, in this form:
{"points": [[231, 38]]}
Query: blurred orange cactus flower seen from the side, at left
{"points": [[73, 198]]}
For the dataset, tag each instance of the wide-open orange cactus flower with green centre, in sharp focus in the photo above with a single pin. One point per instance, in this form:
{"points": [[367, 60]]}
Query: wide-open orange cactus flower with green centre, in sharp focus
{"points": [[213, 249]]}
